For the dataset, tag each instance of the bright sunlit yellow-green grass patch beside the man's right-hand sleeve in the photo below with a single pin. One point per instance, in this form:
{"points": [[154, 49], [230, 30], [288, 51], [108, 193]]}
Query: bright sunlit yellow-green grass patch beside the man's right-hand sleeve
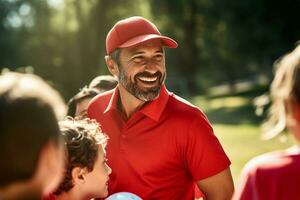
{"points": [[242, 142]]}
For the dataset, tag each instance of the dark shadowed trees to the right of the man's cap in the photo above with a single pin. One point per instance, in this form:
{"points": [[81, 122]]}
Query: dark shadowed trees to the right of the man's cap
{"points": [[225, 41]]}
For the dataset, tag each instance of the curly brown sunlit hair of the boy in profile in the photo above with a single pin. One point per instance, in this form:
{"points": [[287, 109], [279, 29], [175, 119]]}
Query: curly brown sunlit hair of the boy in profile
{"points": [[82, 138]]}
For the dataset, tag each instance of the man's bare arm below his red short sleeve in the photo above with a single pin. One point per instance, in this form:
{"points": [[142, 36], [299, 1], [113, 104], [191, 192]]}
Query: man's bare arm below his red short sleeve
{"points": [[217, 187]]}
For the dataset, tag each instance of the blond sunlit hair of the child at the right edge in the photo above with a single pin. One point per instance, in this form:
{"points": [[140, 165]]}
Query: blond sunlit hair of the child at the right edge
{"points": [[284, 88]]}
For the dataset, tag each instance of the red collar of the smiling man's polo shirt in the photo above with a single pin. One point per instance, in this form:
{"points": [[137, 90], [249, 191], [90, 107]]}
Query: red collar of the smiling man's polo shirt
{"points": [[153, 109]]}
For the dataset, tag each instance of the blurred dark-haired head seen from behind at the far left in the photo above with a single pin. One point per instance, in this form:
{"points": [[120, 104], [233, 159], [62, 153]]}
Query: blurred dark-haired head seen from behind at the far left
{"points": [[29, 133]]}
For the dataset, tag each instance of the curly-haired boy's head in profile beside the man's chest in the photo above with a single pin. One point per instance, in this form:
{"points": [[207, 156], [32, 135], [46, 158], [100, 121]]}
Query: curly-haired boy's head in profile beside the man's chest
{"points": [[86, 172]]}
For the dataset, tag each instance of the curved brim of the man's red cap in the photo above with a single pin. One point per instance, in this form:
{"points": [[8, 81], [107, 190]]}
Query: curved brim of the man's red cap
{"points": [[167, 42]]}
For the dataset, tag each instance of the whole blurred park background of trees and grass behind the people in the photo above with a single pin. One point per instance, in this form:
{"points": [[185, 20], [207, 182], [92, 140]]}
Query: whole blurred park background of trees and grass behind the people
{"points": [[224, 60]]}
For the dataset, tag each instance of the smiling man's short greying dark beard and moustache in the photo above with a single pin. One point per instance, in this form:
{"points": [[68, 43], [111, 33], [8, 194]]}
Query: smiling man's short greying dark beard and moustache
{"points": [[143, 94]]}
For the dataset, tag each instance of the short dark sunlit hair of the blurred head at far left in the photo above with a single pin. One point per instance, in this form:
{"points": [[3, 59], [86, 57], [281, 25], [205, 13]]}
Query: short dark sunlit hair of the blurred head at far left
{"points": [[27, 122]]}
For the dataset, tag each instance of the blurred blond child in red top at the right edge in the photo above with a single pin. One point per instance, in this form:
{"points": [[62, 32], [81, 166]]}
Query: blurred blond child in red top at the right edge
{"points": [[276, 175]]}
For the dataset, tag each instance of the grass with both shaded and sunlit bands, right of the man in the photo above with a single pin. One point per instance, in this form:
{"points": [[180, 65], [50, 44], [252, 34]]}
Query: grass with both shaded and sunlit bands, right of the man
{"points": [[237, 127]]}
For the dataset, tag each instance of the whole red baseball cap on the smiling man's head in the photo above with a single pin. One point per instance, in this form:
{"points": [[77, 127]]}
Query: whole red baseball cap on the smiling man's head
{"points": [[132, 31]]}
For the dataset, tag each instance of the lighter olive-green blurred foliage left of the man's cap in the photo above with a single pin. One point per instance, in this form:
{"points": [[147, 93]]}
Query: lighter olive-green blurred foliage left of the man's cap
{"points": [[66, 41]]}
